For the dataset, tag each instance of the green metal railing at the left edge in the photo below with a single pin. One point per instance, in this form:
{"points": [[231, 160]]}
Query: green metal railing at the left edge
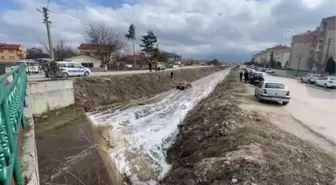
{"points": [[12, 102]]}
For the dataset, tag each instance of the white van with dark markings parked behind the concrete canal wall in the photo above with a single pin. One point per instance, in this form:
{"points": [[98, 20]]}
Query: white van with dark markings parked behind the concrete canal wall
{"points": [[73, 69]]}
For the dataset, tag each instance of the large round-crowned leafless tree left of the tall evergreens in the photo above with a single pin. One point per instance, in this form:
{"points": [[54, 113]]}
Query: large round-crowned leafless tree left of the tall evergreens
{"points": [[105, 41]]}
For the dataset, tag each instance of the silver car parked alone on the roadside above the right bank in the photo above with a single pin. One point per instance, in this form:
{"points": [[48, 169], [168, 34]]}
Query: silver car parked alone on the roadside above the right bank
{"points": [[272, 91]]}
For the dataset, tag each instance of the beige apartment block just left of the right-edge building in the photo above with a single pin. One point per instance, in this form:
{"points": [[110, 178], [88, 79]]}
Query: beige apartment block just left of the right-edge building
{"points": [[301, 50]]}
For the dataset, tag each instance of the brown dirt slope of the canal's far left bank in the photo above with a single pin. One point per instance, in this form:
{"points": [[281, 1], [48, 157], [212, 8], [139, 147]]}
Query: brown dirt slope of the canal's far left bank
{"points": [[94, 92]]}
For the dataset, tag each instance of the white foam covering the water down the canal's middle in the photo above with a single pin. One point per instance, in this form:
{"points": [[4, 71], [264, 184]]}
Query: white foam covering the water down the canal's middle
{"points": [[140, 135]]}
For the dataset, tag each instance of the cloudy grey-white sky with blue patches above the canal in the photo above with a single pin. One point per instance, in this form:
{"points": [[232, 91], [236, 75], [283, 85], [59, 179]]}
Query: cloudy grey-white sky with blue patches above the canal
{"points": [[230, 30]]}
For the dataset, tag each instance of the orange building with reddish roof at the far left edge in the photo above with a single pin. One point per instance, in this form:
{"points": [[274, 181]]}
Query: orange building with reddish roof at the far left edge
{"points": [[11, 53]]}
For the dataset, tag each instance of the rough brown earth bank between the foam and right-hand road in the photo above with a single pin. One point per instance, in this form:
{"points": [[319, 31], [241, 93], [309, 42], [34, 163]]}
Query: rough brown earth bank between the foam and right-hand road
{"points": [[222, 143]]}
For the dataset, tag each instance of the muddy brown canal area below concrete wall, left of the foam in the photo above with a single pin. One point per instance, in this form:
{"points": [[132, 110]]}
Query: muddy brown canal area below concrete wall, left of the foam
{"points": [[67, 153]]}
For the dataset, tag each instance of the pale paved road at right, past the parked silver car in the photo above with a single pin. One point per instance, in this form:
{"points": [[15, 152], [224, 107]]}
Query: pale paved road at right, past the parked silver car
{"points": [[314, 107]]}
